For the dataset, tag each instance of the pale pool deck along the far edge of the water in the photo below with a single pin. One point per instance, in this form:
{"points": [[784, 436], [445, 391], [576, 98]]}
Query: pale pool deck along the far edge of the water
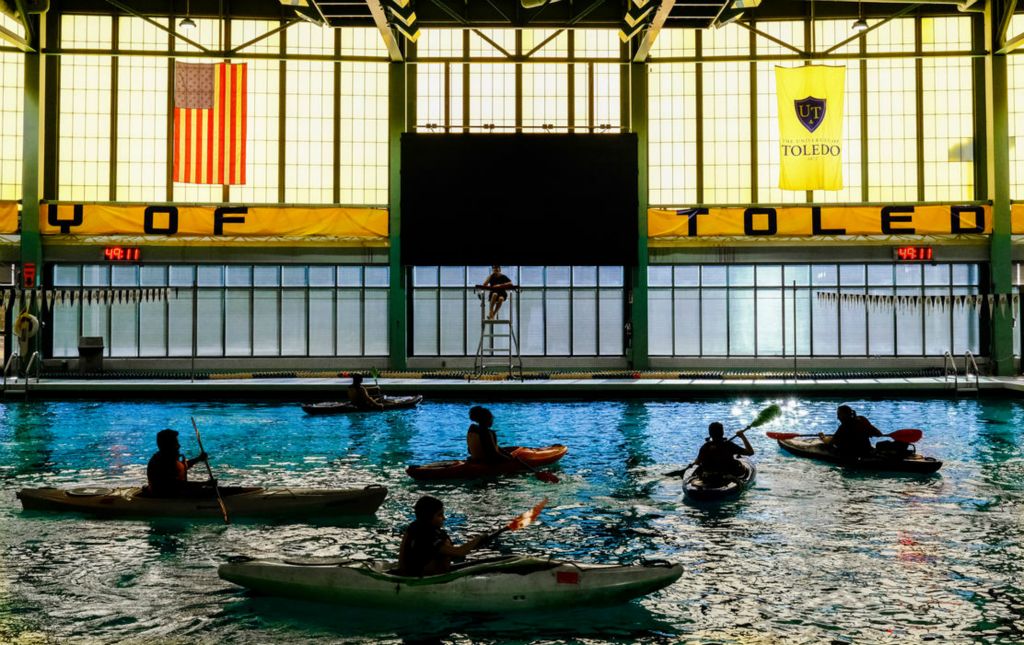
{"points": [[334, 389]]}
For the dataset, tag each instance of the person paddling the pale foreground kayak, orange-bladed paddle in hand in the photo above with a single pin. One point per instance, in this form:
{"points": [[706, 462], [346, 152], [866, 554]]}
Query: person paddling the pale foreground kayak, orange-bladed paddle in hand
{"points": [[426, 548]]}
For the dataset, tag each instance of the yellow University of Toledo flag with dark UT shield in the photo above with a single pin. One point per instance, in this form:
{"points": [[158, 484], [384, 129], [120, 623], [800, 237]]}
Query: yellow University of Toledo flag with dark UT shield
{"points": [[810, 125]]}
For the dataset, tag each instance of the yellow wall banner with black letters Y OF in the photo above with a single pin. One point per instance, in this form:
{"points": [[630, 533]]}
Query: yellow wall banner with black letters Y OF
{"points": [[358, 225]]}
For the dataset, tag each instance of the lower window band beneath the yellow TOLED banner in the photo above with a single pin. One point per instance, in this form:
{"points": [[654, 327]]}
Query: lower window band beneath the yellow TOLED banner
{"points": [[813, 311]]}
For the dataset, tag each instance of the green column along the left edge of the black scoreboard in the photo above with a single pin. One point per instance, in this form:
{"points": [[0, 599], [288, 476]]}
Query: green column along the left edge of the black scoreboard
{"points": [[398, 316]]}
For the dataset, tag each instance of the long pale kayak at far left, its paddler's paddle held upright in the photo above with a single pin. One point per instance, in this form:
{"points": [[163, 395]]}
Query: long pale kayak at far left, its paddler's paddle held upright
{"points": [[241, 502]]}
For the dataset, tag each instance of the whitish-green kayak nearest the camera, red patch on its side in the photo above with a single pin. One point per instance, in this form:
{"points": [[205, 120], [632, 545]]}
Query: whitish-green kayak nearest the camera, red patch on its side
{"points": [[496, 585]]}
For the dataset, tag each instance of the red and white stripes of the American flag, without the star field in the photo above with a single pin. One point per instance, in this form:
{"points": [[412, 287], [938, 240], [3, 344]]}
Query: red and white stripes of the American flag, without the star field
{"points": [[210, 144]]}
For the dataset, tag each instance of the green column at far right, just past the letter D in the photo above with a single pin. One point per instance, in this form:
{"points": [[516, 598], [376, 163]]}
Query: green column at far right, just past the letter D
{"points": [[998, 163]]}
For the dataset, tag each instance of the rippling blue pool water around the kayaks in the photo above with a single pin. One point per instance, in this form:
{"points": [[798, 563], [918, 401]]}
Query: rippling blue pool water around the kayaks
{"points": [[812, 554]]}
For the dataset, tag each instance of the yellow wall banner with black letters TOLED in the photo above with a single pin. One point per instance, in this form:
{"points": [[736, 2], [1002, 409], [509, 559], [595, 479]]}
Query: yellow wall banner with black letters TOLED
{"points": [[799, 222]]}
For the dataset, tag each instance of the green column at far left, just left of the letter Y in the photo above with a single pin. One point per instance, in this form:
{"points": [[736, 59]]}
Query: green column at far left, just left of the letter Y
{"points": [[32, 166]]}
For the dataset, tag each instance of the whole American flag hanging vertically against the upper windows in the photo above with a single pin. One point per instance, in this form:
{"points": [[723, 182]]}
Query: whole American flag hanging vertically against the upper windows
{"points": [[210, 104]]}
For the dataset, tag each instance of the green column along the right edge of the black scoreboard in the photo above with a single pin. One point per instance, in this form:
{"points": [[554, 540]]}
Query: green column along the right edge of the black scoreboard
{"points": [[638, 125]]}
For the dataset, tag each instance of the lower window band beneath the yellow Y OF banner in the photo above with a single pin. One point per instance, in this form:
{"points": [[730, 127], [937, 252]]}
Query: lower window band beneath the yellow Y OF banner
{"points": [[240, 311]]}
